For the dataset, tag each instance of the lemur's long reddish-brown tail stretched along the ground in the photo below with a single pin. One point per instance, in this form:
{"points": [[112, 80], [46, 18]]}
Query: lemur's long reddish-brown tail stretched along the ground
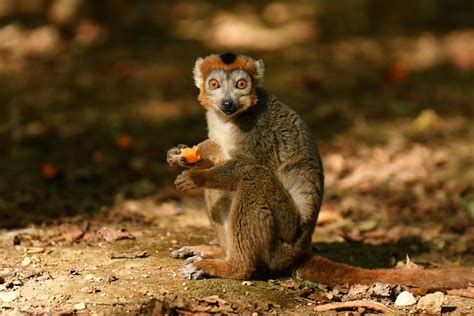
{"points": [[325, 271]]}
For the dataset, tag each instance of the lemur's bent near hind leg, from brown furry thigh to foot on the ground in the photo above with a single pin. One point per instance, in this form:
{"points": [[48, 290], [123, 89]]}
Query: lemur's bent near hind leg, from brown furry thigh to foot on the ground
{"points": [[256, 229]]}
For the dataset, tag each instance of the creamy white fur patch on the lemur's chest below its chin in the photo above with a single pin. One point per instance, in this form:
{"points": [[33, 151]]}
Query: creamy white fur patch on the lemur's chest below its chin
{"points": [[221, 132]]}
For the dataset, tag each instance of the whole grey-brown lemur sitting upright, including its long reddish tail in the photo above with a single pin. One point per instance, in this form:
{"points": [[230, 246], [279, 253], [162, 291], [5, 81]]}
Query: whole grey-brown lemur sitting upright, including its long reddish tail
{"points": [[263, 181]]}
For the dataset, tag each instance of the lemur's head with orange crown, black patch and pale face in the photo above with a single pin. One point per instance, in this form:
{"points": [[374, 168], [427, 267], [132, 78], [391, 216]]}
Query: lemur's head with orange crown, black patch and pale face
{"points": [[228, 82]]}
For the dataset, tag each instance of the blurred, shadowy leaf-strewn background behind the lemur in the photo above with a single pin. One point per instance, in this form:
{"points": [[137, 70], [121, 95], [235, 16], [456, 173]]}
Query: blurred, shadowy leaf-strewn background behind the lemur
{"points": [[93, 93]]}
